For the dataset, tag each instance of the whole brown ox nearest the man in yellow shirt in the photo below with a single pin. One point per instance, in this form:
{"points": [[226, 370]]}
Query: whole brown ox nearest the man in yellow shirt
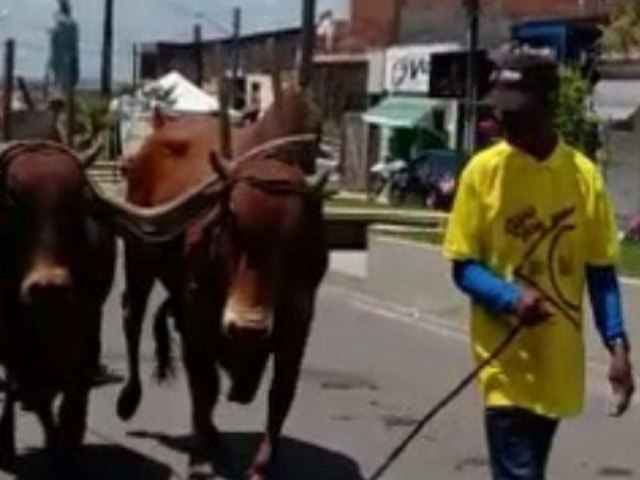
{"points": [[254, 256]]}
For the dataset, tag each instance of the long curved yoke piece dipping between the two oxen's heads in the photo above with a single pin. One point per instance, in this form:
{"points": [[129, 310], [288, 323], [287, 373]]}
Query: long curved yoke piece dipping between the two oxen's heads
{"points": [[155, 224]]}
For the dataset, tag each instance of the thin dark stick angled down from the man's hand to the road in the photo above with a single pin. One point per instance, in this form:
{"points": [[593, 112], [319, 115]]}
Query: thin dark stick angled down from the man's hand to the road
{"points": [[445, 402]]}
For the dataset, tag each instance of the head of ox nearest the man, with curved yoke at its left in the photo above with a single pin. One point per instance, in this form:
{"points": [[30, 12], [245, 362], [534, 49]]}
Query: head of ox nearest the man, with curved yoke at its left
{"points": [[265, 244]]}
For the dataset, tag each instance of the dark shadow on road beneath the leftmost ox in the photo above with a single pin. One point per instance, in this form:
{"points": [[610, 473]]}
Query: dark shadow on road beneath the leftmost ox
{"points": [[103, 462]]}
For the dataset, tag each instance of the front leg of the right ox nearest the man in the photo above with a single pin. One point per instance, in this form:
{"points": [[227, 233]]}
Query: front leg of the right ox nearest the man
{"points": [[292, 326]]}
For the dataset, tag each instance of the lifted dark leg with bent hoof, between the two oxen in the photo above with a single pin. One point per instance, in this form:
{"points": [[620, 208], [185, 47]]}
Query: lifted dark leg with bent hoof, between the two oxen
{"points": [[135, 299]]}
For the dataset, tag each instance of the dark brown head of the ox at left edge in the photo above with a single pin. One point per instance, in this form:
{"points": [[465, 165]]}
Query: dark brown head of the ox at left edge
{"points": [[43, 218]]}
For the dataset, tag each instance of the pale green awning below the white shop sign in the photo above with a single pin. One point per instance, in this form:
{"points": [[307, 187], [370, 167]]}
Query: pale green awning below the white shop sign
{"points": [[402, 112]]}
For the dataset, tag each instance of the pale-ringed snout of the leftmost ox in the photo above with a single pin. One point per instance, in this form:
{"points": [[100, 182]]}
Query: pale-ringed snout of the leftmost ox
{"points": [[45, 281]]}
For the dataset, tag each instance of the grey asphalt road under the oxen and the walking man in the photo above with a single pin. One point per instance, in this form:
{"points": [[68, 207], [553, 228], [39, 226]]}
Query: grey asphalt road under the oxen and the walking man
{"points": [[371, 370]]}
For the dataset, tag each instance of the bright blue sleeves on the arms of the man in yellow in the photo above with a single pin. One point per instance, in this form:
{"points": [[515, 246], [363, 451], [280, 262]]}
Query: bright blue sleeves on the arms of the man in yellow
{"points": [[501, 297]]}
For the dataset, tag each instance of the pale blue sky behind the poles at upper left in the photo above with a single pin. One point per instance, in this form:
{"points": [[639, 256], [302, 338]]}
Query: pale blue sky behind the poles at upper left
{"points": [[137, 21]]}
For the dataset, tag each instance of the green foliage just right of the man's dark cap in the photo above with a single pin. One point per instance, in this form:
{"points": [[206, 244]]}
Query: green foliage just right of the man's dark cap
{"points": [[573, 119]]}
